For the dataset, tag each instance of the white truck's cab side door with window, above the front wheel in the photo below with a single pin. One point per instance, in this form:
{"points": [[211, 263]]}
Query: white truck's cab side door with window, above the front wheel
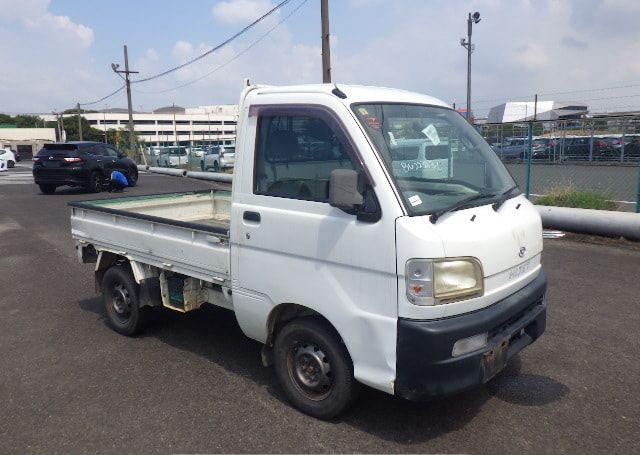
{"points": [[293, 247]]}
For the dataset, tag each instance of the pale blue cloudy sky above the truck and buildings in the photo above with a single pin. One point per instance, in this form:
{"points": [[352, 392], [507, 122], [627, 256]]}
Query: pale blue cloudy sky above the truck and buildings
{"points": [[59, 51]]}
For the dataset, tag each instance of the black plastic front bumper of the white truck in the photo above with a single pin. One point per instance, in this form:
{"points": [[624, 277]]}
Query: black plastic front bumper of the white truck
{"points": [[425, 367]]}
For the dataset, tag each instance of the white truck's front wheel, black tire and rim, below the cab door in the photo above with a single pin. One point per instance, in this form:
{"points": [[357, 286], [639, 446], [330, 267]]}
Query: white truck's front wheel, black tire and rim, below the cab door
{"points": [[314, 368]]}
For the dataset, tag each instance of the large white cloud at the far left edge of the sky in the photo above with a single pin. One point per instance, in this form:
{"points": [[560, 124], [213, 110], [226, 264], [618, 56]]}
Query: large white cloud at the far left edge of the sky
{"points": [[46, 57]]}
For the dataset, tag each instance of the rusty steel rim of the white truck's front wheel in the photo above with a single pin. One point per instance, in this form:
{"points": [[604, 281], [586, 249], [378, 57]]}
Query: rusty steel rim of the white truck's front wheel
{"points": [[309, 370]]}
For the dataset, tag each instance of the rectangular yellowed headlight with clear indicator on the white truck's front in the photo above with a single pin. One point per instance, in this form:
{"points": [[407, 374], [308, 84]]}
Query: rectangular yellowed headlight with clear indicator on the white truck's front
{"points": [[434, 282]]}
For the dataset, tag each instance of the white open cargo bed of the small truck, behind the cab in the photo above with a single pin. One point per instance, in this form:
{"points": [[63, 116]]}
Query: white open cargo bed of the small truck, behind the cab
{"points": [[184, 232]]}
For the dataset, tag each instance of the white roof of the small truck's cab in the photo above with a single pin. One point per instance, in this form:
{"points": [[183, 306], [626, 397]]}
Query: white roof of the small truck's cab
{"points": [[354, 93]]}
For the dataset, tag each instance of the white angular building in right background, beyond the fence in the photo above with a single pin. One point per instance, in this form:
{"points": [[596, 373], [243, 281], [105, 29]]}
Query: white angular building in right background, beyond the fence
{"points": [[521, 111]]}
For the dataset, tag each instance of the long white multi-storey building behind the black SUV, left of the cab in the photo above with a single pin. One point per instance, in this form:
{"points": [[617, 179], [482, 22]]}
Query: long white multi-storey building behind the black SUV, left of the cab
{"points": [[165, 126]]}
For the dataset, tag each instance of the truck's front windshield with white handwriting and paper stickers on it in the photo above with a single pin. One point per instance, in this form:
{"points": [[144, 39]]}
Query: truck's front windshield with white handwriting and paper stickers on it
{"points": [[436, 158]]}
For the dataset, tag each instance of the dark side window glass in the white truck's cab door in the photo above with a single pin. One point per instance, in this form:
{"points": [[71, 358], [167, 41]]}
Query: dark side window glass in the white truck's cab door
{"points": [[295, 155]]}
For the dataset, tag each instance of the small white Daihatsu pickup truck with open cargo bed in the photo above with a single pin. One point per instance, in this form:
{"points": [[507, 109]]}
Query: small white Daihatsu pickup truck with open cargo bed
{"points": [[371, 236]]}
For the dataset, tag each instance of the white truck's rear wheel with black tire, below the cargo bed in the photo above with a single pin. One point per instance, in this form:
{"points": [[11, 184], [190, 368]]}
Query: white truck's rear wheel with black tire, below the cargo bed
{"points": [[120, 294]]}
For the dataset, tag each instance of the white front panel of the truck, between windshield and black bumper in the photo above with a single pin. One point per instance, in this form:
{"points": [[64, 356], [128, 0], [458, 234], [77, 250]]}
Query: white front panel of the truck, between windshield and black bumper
{"points": [[508, 243]]}
